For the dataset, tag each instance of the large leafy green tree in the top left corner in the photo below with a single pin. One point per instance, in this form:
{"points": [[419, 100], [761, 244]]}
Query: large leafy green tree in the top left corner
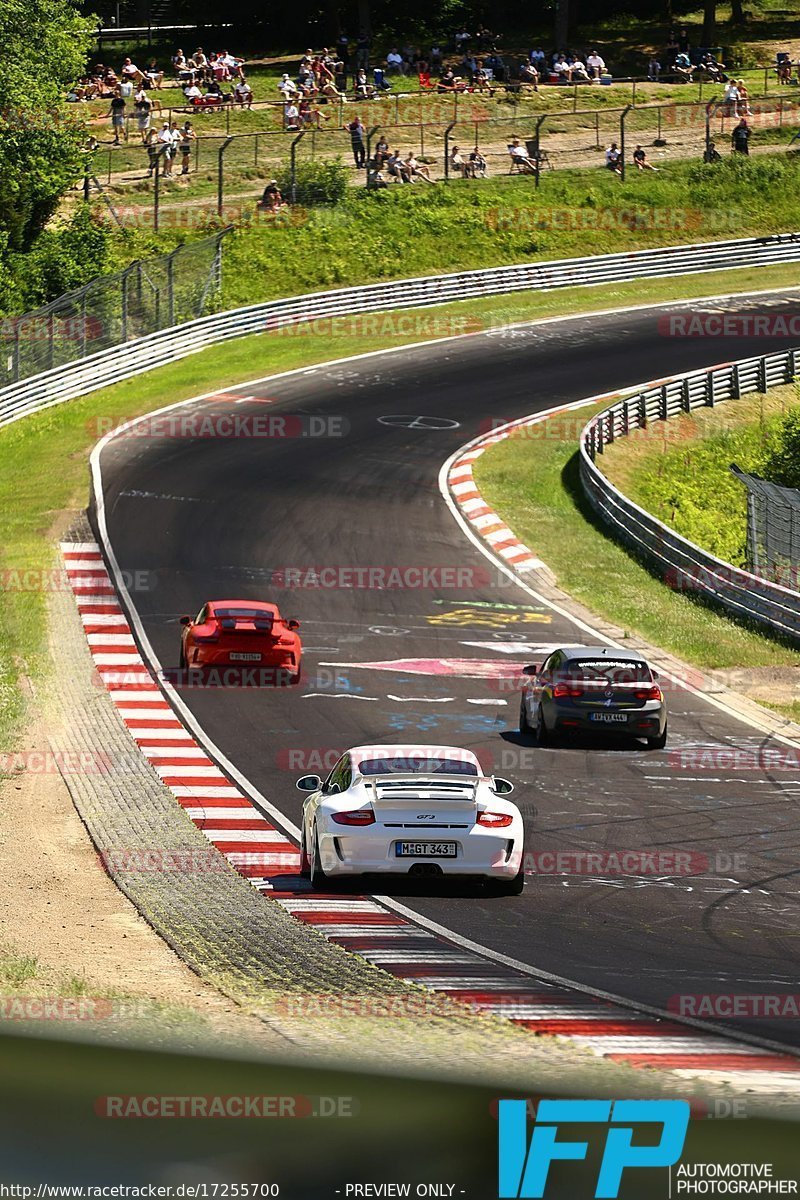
{"points": [[45, 46]]}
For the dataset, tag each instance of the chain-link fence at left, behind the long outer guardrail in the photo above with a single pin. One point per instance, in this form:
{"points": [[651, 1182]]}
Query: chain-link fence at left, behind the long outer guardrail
{"points": [[148, 296]]}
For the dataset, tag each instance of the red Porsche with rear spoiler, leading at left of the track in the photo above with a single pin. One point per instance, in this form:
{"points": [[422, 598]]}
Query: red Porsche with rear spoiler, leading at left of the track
{"points": [[240, 633]]}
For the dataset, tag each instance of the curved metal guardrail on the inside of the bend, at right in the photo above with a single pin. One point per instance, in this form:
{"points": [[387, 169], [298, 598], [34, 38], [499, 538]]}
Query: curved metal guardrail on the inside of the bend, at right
{"points": [[684, 566]]}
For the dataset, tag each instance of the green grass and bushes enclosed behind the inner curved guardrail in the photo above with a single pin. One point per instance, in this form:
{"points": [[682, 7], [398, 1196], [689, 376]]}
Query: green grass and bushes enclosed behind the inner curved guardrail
{"points": [[684, 477]]}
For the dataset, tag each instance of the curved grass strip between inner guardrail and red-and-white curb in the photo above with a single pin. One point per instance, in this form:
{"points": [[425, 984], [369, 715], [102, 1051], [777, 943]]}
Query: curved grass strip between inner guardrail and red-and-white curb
{"points": [[534, 485]]}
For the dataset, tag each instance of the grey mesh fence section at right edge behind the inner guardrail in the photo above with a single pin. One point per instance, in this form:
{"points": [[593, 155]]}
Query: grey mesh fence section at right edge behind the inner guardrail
{"points": [[773, 530]]}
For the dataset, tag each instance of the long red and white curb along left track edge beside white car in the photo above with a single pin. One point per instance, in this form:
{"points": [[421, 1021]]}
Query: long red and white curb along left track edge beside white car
{"points": [[362, 925]]}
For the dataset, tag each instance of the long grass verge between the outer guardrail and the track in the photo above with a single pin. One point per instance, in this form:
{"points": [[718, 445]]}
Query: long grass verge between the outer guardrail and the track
{"points": [[45, 457]]}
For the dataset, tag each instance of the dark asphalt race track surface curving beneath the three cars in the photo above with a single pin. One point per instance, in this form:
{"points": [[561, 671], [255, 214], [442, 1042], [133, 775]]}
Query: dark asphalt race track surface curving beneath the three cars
{"points": [[213, 518]]}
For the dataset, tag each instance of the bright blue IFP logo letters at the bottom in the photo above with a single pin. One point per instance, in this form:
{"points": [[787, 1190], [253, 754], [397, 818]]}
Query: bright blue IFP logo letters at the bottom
{"points": [[525, 1169]]}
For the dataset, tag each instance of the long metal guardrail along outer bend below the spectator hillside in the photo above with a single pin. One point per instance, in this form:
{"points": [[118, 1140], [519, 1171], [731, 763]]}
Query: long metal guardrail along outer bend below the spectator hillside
{"points": [[167, 346]]}
